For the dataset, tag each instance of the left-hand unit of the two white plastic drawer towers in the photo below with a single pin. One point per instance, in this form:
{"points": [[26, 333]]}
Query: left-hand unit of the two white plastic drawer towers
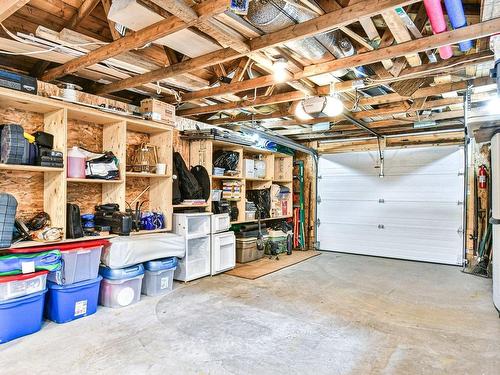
{"points": [[196, 231]]}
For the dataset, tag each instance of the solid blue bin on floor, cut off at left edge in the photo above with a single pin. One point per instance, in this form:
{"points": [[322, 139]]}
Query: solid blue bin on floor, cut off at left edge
{"points": [[21, 316]]}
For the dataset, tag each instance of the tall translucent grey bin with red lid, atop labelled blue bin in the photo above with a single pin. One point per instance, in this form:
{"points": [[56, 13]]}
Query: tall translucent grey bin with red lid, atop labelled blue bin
{"points": [[79, 263]]}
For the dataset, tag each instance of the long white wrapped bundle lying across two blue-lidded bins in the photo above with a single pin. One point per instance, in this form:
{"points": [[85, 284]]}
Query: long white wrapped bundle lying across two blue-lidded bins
{"points": [[128, 251]]}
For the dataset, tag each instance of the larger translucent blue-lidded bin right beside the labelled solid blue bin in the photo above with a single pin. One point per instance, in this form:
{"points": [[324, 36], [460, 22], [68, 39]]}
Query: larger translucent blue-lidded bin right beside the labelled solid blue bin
{"points": [[121, 287]]}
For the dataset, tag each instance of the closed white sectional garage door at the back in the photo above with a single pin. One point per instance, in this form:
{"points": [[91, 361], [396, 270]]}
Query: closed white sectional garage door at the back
{"points": [[414, 212]]}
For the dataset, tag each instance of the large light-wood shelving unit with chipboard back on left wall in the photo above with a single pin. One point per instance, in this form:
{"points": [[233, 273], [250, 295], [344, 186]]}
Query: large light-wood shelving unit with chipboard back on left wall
{"points": [[74, 125]]}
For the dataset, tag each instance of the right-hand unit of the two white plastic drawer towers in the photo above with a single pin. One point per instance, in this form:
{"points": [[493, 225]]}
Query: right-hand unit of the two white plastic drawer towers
{"points": [[223, 244]]}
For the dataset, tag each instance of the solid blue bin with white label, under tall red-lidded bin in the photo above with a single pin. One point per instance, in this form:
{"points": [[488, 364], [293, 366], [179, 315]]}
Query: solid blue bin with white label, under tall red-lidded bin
{"points": [[69, 302]]}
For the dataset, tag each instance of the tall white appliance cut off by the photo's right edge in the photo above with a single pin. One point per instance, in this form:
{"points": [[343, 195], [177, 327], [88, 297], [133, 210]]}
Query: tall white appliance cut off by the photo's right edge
{"points": [[495, 193]]}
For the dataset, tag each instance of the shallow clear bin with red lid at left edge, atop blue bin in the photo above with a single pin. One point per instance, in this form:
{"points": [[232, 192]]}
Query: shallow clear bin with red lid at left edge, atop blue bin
{"points": [[22, 285]]}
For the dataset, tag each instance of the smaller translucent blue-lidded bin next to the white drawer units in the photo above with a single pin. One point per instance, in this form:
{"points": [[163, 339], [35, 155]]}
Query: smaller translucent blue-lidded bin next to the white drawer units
{"points": [[159, 276]]}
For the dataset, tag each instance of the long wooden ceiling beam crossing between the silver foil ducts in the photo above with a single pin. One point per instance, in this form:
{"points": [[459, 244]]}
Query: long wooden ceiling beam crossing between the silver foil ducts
{"points": [[317, 25]]}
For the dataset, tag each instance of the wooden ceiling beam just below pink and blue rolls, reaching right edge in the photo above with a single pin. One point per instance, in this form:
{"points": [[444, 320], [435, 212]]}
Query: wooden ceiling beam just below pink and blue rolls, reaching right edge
{"points": [[479, 30]]}
